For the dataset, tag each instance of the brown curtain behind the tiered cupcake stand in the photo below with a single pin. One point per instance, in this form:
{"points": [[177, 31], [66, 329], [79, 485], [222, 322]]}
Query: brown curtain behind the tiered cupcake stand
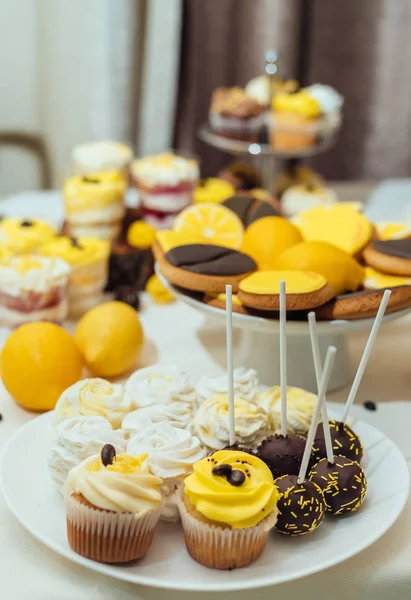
{"points": [[361, 47]]}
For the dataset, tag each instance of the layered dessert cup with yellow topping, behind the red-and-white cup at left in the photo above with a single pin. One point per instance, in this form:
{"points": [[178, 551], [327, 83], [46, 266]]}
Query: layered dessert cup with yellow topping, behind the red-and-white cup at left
{"points": [[88, 259]]}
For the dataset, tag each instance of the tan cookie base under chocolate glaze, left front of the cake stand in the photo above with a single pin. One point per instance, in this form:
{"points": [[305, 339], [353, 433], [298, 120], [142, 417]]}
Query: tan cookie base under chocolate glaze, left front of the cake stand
{"points": [[213, 284]]}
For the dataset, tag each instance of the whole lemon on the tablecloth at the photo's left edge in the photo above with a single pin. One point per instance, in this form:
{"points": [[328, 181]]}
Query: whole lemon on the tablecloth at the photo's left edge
{"points": [[38, 362]]}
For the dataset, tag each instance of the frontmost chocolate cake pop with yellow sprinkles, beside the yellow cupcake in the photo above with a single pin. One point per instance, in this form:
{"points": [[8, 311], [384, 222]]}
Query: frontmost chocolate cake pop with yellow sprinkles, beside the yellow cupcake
{"points": [[301, 506]]}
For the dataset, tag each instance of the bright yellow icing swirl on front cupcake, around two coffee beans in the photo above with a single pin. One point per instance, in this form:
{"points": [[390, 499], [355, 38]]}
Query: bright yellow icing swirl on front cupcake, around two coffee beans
{"points": [[238, 506]]}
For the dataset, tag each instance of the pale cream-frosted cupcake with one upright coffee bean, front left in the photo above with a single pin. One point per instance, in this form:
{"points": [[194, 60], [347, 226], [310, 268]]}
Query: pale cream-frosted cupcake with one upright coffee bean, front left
{"points": [[113, 504]]}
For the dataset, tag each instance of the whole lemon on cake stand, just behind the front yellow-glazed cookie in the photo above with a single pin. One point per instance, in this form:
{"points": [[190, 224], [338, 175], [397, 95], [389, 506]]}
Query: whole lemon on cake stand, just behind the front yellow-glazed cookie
{"points": [[341, 270]]}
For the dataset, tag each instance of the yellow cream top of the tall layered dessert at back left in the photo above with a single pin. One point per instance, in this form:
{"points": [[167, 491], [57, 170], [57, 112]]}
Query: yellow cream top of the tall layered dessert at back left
{"points": [[93, 191]]}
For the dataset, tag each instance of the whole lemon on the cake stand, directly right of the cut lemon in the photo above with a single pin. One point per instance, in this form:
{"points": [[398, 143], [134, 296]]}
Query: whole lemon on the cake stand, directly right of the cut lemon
{"points": [[267, 238]]}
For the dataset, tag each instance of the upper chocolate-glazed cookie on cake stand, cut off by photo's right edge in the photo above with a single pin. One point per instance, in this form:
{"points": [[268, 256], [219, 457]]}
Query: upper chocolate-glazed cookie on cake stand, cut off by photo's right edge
{"points": [[391, 256]]}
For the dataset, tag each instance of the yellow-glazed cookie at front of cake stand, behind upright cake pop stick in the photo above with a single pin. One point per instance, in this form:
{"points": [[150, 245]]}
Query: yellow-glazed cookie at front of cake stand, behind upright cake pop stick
{"points": [[305, 290]]}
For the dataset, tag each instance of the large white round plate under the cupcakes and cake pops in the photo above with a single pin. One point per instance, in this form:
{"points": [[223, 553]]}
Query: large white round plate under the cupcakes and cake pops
{"points": [[32, 497]]}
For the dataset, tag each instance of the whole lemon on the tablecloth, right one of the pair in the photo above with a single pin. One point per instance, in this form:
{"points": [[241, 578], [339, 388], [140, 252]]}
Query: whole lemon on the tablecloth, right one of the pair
{"points": [[110, 337]]}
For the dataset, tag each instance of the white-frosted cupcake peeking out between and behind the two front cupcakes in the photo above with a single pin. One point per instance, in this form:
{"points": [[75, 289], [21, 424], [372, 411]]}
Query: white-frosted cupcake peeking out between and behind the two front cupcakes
{"points": [[171, 455]]}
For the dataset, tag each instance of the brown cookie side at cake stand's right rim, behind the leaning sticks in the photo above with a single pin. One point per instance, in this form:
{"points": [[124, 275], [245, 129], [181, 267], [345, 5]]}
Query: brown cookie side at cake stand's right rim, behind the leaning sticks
{"points": [[364, 305]]}
